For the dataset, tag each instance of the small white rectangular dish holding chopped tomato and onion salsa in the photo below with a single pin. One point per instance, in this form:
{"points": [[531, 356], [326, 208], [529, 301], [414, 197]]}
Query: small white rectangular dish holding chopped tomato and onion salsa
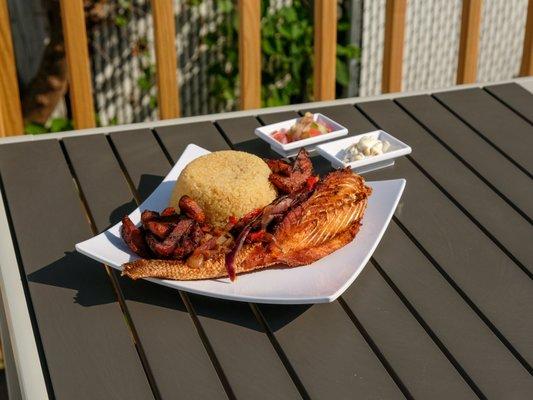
{"points": [[290, 149]]}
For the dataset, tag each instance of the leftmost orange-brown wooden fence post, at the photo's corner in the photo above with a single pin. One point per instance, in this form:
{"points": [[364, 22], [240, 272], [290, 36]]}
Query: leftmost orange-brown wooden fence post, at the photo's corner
{"points": [[10, 110]]}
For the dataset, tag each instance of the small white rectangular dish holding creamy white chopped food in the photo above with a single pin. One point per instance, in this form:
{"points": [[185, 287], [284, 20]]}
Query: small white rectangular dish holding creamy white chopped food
{"points": [[334, 152]]}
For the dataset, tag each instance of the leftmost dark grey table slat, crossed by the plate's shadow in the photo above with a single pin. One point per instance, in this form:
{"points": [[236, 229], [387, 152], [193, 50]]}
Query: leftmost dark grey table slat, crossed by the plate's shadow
{"points": [[87, 345]]}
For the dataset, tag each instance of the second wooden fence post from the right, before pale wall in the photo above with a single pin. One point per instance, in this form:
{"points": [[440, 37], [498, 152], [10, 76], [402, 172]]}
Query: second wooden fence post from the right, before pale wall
{"points": [[469, 41]]}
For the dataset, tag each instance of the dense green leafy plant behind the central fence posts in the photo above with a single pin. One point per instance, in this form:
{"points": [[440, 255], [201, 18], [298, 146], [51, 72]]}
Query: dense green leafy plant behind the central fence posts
{"points": [[286, 51]]}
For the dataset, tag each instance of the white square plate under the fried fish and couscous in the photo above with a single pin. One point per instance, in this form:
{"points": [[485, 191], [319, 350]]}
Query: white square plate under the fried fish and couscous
{"points": [[320, 282]]}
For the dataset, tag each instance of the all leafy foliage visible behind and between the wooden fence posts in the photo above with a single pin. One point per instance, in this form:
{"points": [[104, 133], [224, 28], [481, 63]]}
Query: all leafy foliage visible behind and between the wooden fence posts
{"points": [[286, 54]]}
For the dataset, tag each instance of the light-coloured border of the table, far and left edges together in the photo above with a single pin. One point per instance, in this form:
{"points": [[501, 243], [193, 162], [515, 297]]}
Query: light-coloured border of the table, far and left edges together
{"points": [[24, 347]]}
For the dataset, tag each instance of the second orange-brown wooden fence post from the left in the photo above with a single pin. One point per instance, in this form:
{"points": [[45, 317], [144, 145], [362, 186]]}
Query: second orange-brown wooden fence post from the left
{"points": [[79, 71]]}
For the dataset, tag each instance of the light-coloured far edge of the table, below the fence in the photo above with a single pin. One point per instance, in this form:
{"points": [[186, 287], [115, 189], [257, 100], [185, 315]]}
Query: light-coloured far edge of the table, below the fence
{"points": [[526, 82]]}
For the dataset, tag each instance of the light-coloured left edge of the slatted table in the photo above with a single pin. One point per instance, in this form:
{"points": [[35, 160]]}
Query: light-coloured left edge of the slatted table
{"points": [[24, 346]]}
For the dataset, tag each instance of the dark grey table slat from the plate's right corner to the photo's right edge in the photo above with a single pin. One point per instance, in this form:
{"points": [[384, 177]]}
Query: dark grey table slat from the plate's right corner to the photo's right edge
{"points": [[475, 264]]}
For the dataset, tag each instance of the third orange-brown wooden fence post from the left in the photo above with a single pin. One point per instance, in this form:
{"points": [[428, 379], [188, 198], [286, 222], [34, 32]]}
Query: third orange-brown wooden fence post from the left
{"points": [[166, 58]]}
